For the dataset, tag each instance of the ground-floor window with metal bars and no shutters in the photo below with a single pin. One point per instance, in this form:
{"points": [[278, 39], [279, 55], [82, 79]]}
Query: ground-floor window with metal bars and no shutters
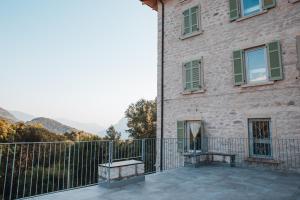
{"points": [[260, 138]]}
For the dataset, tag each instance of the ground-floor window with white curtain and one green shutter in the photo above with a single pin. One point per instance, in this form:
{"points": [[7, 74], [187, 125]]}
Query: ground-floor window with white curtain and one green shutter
{"points": [[190, 136]]}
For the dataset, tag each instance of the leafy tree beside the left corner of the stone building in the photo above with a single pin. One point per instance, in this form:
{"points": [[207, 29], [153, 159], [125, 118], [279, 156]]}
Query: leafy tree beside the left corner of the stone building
{"points": [[142, 119]]}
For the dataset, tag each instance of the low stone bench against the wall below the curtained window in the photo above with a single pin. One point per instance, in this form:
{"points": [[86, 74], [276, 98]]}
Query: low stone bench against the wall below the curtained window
{"points": [[209, 157]]}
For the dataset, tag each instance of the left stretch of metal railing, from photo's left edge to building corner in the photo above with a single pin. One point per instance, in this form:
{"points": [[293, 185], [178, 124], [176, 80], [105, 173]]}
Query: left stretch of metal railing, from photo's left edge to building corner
{"points": [[31, 169]]}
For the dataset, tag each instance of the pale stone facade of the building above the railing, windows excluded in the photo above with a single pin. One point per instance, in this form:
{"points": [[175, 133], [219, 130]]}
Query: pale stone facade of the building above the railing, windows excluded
{"points": [[225, 108]]}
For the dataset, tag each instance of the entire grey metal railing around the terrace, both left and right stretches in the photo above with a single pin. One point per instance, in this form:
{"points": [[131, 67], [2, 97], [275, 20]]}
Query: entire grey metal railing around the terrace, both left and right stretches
{"points": [[31, 169]]}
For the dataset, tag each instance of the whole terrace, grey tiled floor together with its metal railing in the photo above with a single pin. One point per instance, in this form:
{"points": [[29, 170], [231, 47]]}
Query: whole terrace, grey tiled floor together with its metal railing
{"points": [[69, 170]]}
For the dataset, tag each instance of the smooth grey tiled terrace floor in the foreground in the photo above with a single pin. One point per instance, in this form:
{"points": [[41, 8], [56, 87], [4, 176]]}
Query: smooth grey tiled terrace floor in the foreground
{"points": [[207, 183]]}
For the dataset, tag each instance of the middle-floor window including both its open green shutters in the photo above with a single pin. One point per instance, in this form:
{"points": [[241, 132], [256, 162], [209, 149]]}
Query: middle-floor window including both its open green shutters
{"points": [[260, 64]]}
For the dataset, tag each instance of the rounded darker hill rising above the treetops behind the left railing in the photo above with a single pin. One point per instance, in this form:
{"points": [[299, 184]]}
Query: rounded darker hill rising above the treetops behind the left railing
{"points": [[52, 125]]}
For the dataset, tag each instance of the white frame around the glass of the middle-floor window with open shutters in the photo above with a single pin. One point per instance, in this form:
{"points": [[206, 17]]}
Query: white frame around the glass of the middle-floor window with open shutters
{"points": [[247, 67]]}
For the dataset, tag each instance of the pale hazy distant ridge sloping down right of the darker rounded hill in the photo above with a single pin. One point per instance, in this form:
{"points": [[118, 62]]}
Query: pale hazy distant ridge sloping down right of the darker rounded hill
{"points": [[87, 127]]}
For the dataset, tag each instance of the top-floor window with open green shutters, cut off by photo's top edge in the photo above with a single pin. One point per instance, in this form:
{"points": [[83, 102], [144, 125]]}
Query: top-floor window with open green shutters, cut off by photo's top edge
{"points": [[244, 8]]}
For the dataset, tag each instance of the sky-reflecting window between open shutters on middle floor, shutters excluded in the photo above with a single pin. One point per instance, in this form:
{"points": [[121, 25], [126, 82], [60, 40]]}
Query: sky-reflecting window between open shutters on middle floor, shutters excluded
{"points": [[256, 65]]}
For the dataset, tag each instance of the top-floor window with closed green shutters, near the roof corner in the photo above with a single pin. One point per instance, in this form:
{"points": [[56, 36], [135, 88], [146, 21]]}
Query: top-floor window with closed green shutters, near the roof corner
{"points": [[191, 20]]}
